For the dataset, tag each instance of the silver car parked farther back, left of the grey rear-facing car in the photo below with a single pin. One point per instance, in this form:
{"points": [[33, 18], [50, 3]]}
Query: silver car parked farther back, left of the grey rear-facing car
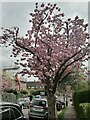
{"points": [[23, 102]]}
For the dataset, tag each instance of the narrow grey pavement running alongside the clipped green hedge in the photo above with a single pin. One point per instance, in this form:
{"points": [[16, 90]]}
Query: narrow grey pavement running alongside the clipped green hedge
{"points": [[70, 113]]}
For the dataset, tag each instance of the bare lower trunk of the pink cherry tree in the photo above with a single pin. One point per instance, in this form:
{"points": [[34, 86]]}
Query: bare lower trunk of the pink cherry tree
{"points": [[51, 106]]}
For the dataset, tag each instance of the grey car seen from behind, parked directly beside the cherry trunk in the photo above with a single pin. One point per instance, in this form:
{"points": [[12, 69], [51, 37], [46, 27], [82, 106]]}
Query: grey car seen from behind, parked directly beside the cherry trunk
{"points": [[38, 109]]}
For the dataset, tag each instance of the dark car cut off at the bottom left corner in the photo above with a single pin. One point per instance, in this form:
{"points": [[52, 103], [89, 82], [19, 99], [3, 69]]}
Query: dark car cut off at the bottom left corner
{"points": [[10, 111]]}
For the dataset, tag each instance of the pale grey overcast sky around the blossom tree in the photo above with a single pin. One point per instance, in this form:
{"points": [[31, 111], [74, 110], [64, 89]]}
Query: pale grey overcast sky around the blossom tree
{"points": [[16, 13]]}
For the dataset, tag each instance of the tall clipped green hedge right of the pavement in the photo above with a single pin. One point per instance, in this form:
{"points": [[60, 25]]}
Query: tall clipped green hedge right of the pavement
{"points": [[81, 100]]}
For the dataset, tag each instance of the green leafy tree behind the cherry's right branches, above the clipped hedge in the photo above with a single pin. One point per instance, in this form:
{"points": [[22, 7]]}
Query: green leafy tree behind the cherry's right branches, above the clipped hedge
{"points": [[73, 83]]}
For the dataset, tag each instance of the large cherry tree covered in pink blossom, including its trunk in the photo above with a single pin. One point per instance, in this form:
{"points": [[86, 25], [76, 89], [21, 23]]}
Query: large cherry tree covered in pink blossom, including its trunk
{"points": [[51, 49]]}
